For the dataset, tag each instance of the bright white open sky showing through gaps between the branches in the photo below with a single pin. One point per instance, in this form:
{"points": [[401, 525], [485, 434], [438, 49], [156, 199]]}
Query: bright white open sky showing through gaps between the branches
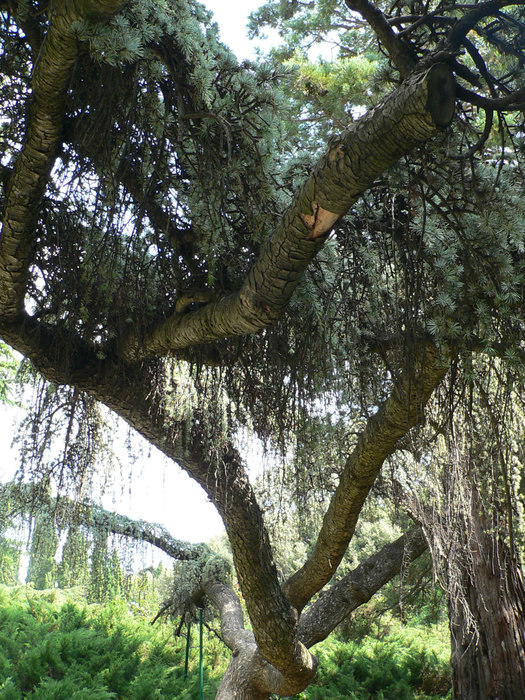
{"points": [[159, 491]]}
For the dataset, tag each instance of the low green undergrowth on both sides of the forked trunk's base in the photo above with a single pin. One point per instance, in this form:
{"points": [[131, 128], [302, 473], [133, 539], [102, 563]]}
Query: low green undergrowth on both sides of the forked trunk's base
{"points": [[55, 647]]}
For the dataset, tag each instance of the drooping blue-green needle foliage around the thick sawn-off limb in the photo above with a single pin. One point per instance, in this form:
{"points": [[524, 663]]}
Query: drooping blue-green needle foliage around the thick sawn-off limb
{"points": [[149, 207]]}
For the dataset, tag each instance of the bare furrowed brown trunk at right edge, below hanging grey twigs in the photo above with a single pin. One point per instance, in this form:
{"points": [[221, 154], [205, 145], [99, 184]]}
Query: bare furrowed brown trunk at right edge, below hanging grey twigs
{"points": [[488, 626]]}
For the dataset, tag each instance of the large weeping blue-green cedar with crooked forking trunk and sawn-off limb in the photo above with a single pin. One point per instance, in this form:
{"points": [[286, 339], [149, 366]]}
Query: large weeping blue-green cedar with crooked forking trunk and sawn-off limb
{"points": [[165, 208]]}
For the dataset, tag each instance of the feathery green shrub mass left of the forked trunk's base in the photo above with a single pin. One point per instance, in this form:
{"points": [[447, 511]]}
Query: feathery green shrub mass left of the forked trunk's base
{"points": [[51, 650]]}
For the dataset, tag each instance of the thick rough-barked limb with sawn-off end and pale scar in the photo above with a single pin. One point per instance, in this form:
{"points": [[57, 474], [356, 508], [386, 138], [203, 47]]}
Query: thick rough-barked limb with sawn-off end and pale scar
{"points": [[411, 115]]}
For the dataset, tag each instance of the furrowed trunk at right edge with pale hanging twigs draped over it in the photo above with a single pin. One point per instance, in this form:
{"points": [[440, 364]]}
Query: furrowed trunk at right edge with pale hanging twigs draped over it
{"points": [[475, 532]]}
